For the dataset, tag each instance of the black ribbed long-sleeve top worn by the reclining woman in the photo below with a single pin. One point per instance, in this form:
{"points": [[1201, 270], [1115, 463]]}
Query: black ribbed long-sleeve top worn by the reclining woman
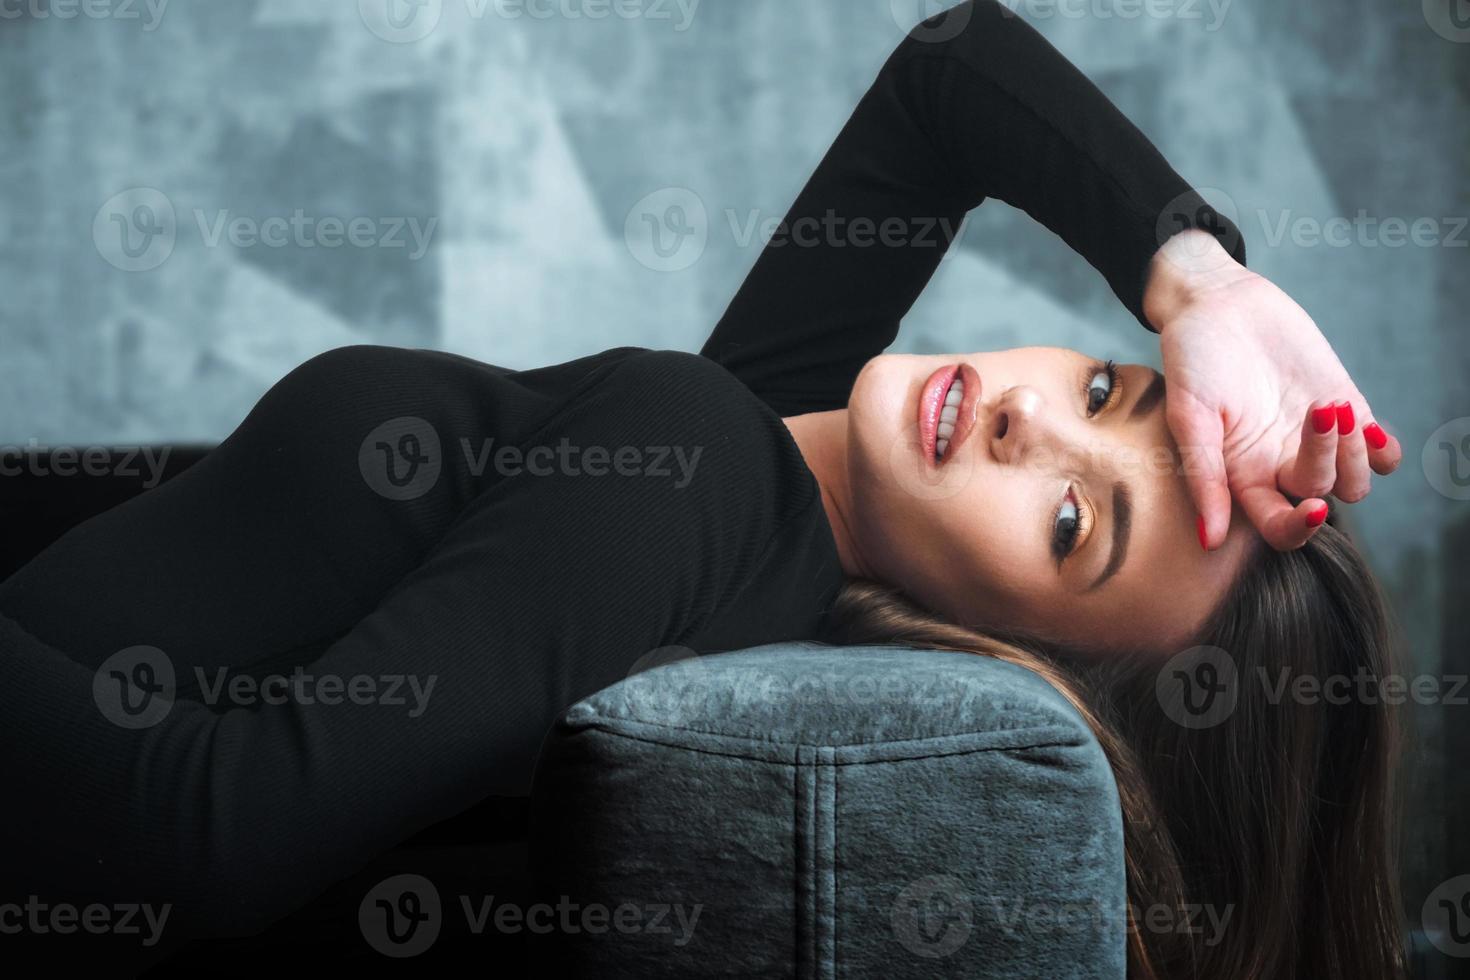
{"points": [[540, 591]]}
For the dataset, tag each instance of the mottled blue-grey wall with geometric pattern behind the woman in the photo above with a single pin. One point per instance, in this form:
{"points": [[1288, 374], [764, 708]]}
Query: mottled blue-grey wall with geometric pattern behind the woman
{"points": [[515, 142]]}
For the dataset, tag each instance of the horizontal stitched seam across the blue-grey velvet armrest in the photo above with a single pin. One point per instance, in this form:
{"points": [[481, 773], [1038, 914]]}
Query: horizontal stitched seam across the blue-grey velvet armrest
{"points": [[786, 753]]}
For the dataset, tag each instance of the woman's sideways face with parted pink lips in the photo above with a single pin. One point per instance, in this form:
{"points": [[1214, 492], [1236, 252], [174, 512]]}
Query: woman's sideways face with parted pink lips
{"points": [[1059, 508]]}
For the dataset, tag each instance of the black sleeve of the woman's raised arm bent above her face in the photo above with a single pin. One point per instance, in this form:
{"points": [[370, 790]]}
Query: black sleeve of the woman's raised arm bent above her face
{"points": [[996, 112]]}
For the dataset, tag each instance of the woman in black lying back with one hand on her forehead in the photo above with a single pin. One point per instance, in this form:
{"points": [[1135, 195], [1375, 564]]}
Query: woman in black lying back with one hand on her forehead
{"points": [[505, 543]]}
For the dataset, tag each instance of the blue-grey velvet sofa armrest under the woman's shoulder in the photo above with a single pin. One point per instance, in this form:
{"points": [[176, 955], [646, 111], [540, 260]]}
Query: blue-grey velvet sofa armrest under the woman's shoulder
{"points": [[814, 812]]}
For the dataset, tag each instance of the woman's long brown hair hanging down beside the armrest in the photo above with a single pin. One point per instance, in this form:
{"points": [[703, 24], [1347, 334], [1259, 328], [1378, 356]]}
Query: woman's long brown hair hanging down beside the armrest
{"points": [[1283, 813]]}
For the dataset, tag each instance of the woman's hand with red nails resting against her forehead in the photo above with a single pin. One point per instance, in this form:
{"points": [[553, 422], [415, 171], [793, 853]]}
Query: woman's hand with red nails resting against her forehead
{"points": [[1259, 402]]}
